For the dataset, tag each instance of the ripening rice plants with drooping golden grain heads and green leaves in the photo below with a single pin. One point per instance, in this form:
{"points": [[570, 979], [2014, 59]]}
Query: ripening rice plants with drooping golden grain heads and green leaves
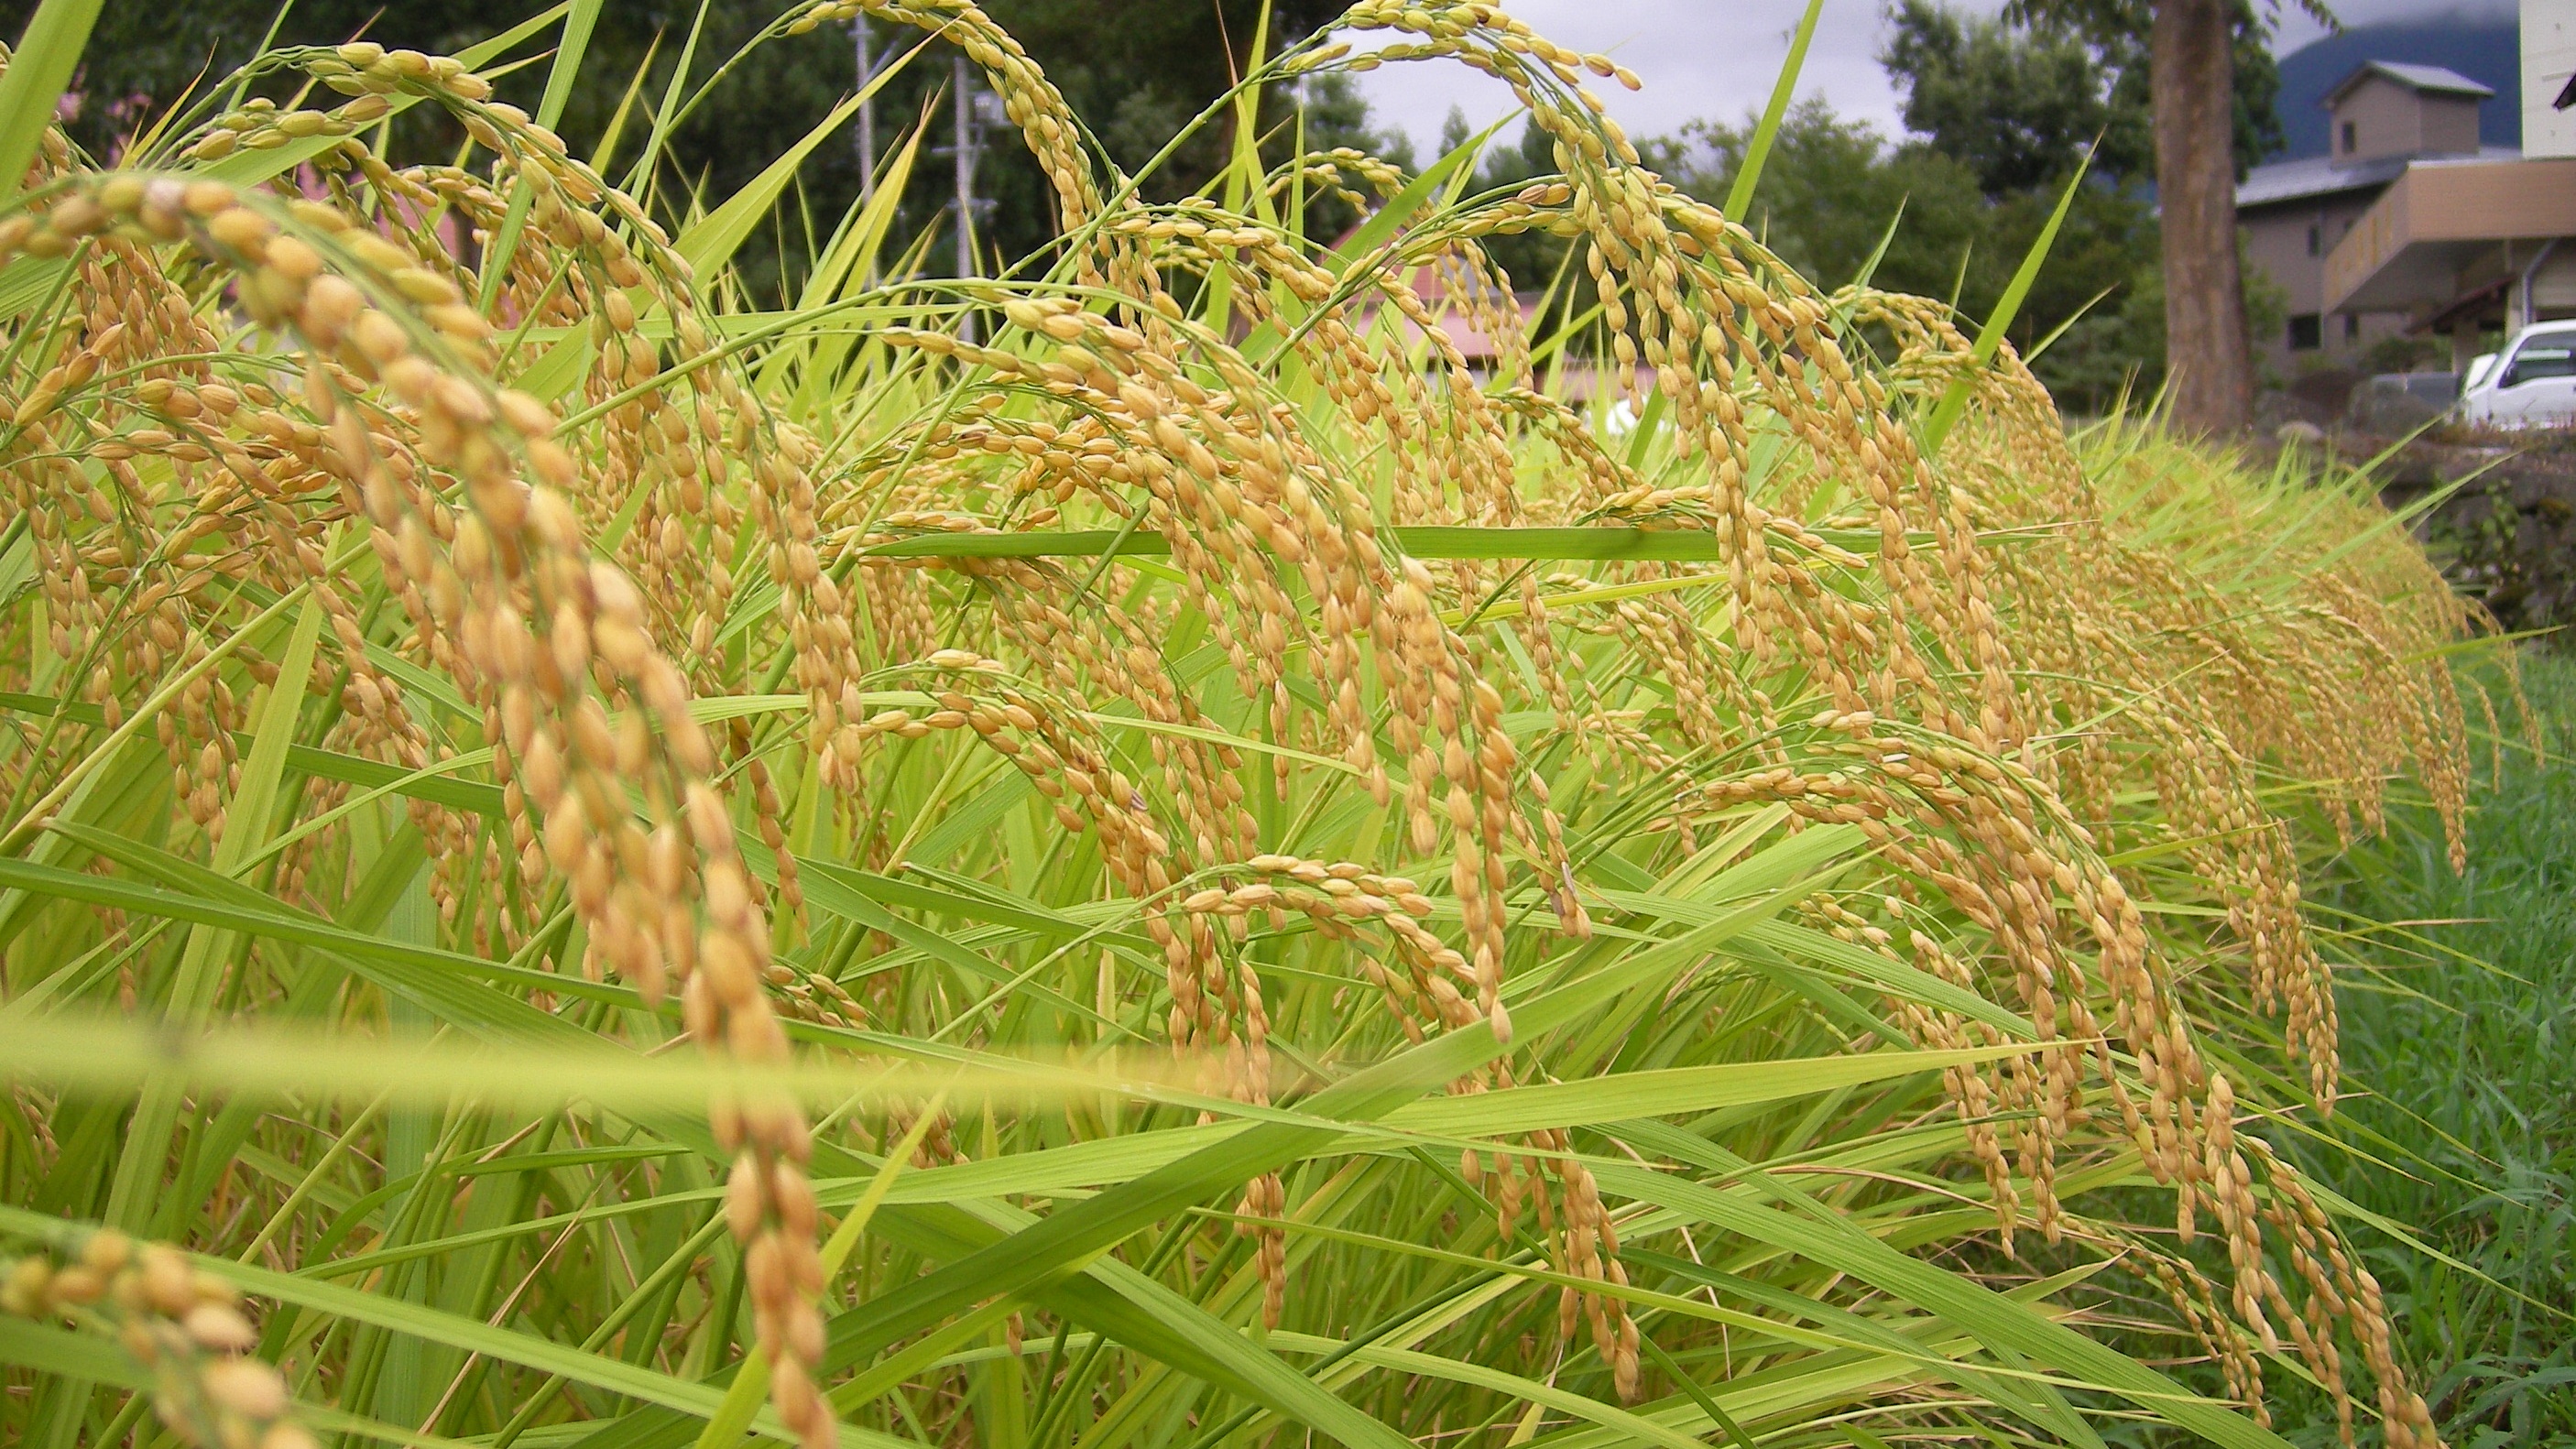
{"points": [[1135, 853]]}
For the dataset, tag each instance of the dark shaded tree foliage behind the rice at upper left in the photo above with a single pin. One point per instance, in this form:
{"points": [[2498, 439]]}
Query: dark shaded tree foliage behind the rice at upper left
{"points": [[1135, 68]]}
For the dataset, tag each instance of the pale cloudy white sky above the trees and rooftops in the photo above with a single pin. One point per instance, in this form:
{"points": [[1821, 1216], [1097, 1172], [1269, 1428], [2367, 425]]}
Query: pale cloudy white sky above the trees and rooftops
{"points": [[1719, 58]]}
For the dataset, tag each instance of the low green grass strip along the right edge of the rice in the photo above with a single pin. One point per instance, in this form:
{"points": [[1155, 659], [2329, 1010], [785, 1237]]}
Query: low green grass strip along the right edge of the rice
{"points": [[2464, 1031]]}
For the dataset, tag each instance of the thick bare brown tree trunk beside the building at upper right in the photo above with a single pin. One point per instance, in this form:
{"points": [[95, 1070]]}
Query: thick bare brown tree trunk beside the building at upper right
{"points": [[2206, 356]]}
